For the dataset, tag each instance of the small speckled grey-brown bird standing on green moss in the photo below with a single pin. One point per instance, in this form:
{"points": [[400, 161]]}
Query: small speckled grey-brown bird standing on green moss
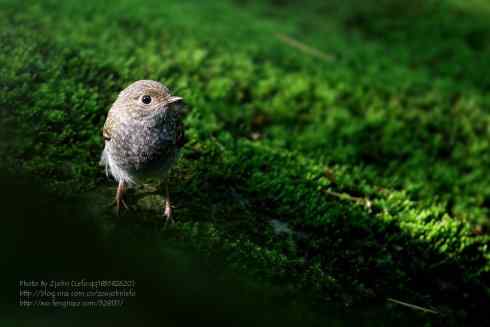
{"points": [[143, 134]]}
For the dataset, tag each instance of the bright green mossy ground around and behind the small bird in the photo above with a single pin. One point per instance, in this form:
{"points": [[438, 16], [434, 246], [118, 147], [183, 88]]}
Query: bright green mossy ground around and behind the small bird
{"points": [[363, 125]]}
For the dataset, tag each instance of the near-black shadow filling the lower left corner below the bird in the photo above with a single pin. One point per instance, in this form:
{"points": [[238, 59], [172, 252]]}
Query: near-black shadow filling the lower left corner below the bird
{"points": [[48, 238]]}
